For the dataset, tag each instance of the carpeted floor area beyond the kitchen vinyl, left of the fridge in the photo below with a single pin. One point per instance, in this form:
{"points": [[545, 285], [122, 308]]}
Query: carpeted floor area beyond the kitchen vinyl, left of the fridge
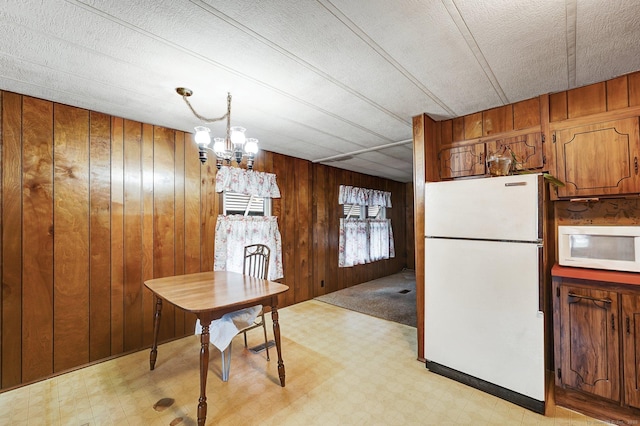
{"points": [[392, 298]]}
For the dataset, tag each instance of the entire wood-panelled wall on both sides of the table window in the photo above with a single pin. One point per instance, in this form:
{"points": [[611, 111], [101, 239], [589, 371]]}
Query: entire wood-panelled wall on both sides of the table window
{"points": [[92, 205]]}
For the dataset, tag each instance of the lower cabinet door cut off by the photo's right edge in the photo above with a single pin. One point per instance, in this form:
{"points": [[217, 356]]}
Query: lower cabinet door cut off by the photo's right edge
{"points": [[631, 348]]}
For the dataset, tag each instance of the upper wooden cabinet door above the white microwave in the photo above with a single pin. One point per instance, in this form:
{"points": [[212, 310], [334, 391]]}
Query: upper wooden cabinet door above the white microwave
{"points": [[598, 159]]}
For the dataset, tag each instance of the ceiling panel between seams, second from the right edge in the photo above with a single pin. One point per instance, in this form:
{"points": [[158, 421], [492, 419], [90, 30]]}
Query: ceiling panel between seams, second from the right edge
{"points": [[525, 49]]}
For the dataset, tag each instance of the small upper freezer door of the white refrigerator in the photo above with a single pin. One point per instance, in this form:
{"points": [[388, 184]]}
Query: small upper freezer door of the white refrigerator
{"points": [[499, 208]]}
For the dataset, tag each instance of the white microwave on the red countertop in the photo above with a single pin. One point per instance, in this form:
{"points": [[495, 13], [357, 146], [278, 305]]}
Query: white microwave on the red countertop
{"points": [[601, 247]]}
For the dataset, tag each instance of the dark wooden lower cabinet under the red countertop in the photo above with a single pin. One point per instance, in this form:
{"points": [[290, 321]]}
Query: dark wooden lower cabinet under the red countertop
{"points": [[597, 345]]}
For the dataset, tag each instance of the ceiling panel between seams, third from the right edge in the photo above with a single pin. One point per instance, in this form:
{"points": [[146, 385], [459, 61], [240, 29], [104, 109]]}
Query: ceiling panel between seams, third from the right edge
{"points": [[425, 42]]}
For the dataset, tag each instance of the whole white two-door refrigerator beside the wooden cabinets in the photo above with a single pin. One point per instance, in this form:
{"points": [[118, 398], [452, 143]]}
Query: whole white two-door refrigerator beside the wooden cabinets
{"points": [[484, 324]]}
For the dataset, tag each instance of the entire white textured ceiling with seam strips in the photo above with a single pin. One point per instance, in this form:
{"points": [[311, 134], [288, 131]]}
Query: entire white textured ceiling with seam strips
{"points": [[313, 79]]}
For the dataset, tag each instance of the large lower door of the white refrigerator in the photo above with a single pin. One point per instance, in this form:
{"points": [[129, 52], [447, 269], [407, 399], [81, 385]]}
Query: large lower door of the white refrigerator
{"points": [[481, 312]]}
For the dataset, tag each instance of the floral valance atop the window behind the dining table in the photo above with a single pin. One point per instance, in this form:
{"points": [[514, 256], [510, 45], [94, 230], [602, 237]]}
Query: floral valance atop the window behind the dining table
{"points": [[249, 182]]}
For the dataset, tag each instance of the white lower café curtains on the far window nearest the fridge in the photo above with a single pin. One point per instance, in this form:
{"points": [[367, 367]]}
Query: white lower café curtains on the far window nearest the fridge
{"points": [[364, 241]]}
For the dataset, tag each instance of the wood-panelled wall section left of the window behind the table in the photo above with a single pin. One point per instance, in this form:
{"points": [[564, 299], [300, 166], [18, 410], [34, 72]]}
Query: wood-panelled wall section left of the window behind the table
{"points": [[91, 206]]}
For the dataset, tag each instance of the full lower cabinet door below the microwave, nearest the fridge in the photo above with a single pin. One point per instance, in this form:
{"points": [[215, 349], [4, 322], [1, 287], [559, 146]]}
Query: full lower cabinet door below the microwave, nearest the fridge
{"points": [[589, 341]]}
